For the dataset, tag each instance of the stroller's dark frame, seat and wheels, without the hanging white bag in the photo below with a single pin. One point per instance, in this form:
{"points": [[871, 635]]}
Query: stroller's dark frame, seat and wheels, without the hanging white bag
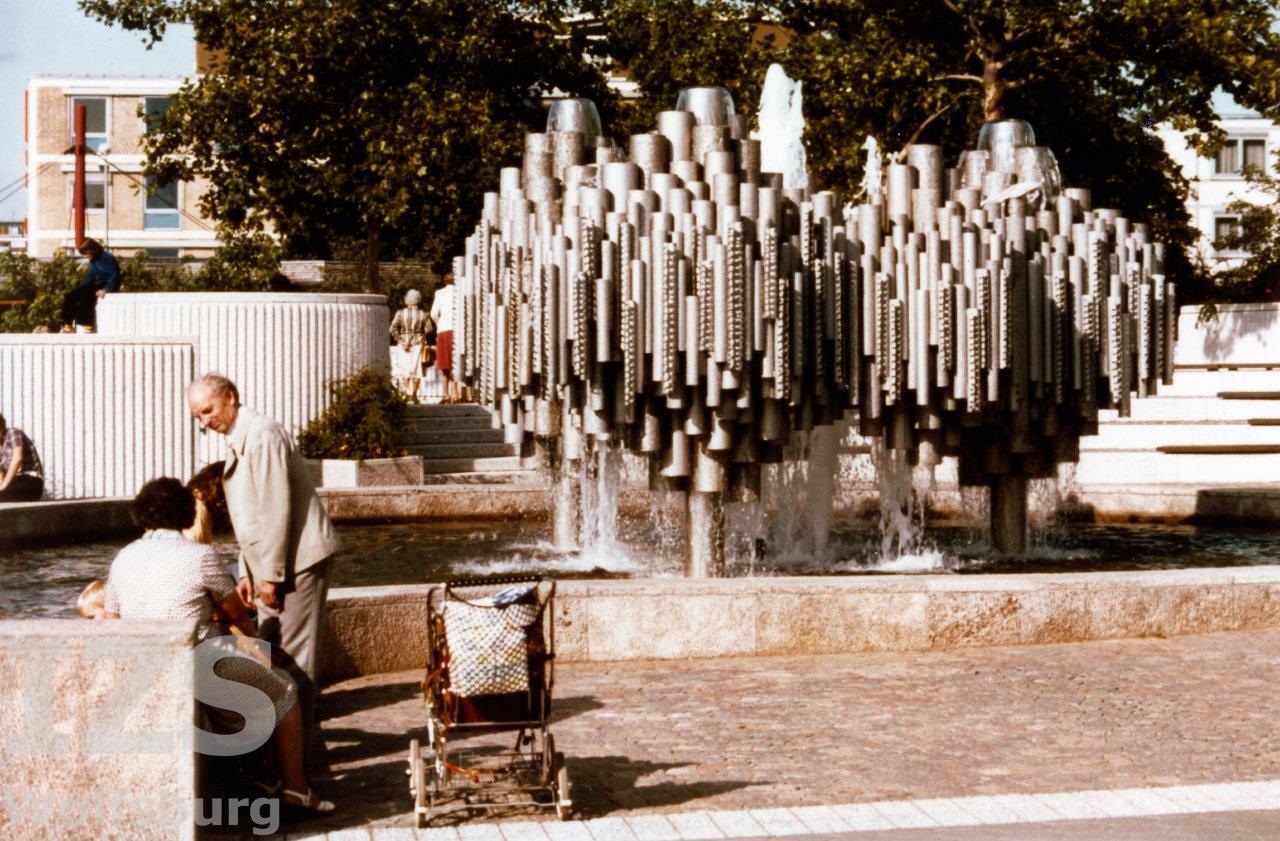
{"points": [[446, 779]]}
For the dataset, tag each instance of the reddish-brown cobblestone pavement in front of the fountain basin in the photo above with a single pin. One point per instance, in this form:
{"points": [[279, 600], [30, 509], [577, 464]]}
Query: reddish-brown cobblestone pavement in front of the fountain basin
{"points": [[662, 737]]}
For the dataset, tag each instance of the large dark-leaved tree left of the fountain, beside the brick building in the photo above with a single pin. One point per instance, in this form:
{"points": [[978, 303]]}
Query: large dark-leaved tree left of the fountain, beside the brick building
{"points": [[367, 127]]}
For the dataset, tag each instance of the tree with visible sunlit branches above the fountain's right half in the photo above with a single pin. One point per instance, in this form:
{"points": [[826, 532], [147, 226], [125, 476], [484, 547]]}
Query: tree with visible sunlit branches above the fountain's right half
{"points": [[1091, 76]]}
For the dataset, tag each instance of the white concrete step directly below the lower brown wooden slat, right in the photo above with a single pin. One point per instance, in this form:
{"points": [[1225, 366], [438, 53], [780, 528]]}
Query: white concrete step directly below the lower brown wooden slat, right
{"points": [[1210, 469]]}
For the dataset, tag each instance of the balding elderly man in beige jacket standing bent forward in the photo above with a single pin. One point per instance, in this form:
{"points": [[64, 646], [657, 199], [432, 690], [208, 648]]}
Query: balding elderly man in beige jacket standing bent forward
{"points": [[285, 534]]}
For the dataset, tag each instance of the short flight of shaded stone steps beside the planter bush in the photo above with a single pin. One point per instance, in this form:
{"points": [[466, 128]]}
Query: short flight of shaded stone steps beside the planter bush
{"points": [[460, 445]]}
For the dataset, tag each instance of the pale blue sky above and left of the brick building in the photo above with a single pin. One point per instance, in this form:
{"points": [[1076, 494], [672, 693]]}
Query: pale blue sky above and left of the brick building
{"points": [[53, 38]]}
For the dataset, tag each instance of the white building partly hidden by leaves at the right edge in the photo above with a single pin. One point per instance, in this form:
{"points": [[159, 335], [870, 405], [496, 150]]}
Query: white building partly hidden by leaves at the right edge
{"points": [[1218, 182]]}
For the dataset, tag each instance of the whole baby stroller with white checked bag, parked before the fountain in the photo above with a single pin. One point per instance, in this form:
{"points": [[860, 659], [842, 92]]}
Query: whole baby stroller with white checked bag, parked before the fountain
{"points": [[490, 670]]}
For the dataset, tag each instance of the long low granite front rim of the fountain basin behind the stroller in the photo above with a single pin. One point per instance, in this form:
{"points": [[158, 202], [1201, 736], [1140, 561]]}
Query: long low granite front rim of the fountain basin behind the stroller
{"points": [[385, 629]]}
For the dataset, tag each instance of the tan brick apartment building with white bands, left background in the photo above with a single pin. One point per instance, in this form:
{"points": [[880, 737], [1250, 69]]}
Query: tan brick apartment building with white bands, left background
{"points": [[124, 209]]}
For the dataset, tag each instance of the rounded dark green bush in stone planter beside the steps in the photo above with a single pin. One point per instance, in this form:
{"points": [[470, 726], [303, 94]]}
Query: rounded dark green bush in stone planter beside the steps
{"points": [[362, 422]]}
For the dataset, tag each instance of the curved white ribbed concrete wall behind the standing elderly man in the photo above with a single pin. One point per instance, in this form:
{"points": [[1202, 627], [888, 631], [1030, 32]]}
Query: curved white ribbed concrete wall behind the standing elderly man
{"points": [[282, 350]]}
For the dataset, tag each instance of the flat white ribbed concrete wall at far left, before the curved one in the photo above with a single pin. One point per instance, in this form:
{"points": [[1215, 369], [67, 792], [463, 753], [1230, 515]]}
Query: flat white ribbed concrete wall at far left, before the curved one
{"points": [[107, 414]]}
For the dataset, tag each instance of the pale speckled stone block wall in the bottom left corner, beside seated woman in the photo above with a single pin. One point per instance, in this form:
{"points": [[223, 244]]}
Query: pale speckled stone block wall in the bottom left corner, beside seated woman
{"points": [[92, 723]]}
